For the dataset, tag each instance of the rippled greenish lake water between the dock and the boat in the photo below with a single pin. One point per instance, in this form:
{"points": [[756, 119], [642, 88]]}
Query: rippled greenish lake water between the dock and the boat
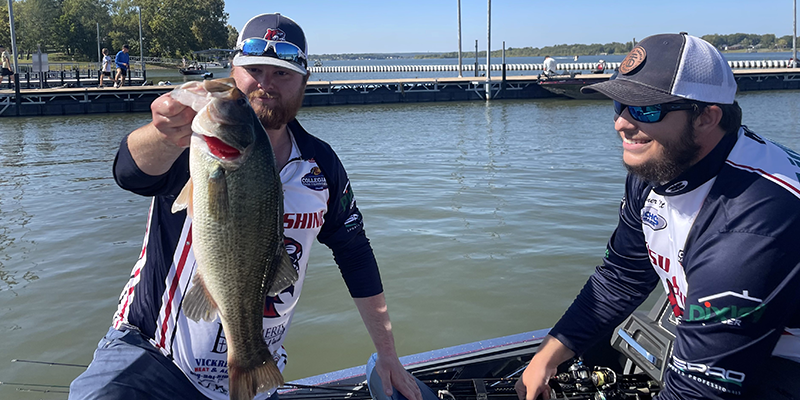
{"points": [[486, 219]]}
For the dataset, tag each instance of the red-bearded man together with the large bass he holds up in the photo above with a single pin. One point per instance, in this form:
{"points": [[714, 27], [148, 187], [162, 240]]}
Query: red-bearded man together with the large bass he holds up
{"points": [[233, 217]]}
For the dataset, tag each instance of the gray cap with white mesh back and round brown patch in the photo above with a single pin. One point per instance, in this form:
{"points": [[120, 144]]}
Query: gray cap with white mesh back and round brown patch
{"points": [[670, 67]]}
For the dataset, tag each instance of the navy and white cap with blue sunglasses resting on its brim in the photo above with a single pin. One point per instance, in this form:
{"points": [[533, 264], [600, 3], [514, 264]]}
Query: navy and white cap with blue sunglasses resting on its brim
{"points": [[275, 28]]}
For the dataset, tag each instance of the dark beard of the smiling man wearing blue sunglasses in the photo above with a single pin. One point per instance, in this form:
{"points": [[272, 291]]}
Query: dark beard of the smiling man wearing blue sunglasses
{"points": [[676, 157]]}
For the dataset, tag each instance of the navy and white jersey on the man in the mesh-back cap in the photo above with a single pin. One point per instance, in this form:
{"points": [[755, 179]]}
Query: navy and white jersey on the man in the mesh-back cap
{"points": [[723, 239]]}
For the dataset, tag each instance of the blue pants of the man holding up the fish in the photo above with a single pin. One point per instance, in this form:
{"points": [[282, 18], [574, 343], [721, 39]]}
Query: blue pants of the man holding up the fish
{"points": [[126, 366]]}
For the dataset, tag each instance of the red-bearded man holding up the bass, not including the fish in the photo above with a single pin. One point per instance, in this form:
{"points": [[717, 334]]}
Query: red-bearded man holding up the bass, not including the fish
{"points": [[152, 350]]}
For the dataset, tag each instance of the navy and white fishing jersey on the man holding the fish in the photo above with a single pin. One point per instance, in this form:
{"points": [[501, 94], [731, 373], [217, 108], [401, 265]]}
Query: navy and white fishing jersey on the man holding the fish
{"points": [[318, 204]]}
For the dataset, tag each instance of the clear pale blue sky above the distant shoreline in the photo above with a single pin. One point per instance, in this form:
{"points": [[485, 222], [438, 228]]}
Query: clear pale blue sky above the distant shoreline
{"points": [[388, 26]]}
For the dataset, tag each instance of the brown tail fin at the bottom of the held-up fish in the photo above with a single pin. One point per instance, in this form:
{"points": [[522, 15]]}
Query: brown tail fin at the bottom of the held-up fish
{"points": [[245, 382]]}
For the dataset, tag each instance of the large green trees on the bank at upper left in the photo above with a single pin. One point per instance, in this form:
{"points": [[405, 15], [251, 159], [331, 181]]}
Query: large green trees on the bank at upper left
{"points": [[170, 28]]}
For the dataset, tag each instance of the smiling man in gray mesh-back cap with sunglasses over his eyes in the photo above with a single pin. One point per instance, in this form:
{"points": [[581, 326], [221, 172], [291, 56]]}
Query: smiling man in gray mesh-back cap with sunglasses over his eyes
{"points": [[711, 210]]}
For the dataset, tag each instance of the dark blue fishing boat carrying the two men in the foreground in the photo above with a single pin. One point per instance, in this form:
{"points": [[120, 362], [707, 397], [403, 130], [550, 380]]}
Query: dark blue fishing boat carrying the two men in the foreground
{"points": [[627, 365]]}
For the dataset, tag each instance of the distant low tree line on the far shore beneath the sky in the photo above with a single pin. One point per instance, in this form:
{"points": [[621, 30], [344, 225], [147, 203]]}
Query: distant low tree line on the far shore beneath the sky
{"points": [[722, 42]]}
